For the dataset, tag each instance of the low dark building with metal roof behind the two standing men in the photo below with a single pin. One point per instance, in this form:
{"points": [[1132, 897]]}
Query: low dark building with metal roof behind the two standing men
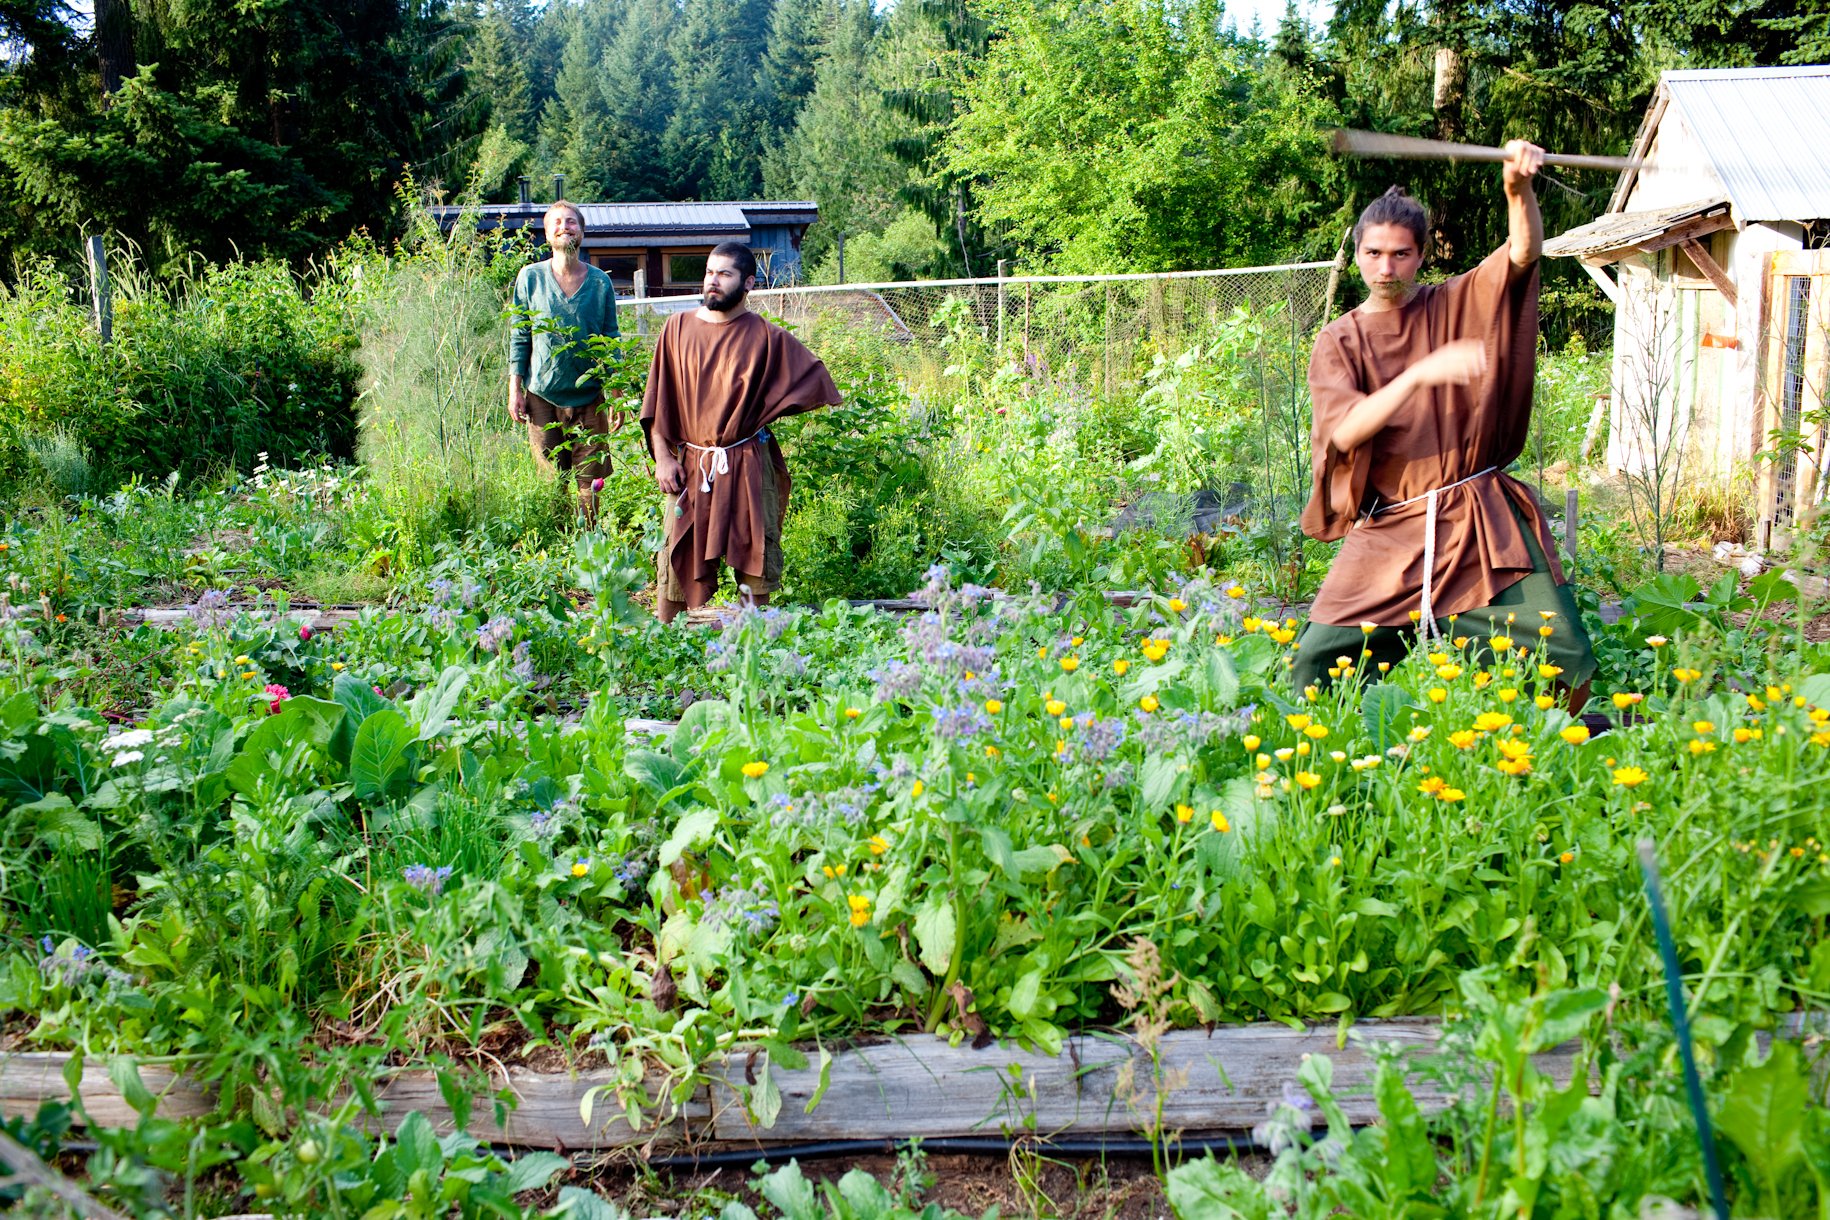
{"points": [[660, 250]]}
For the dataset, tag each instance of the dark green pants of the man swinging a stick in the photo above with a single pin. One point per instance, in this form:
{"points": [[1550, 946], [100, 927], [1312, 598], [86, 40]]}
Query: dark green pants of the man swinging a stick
{"points": [[1322, 645]]}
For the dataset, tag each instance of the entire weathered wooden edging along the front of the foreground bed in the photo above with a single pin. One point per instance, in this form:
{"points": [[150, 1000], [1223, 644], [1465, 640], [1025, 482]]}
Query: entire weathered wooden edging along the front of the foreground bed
{"points": [[1214, 1080]]}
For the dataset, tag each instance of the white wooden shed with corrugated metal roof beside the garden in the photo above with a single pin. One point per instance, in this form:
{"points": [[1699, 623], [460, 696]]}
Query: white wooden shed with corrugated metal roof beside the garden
{"points": [[1716, 251]]}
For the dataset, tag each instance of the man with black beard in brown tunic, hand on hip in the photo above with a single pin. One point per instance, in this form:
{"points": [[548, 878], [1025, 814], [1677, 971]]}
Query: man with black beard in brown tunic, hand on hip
{"points": [[720, 378]]}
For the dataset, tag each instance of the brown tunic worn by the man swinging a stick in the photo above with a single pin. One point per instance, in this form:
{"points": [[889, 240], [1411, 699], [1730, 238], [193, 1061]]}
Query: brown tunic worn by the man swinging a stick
{"points": [[1441, 436]]}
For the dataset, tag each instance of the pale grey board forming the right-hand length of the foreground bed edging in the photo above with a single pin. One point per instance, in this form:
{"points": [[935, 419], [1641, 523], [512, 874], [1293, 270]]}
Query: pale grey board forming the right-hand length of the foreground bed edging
{"points": [[1223, 1080]]}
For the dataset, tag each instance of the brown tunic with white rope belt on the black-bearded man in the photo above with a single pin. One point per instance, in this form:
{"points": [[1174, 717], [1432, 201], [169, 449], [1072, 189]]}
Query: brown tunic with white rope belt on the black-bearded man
{"points": [[720, 383]]}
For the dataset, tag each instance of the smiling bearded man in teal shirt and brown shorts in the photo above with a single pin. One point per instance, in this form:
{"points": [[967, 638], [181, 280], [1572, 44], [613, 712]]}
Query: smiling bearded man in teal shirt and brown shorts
{"points": [[559, 305]]}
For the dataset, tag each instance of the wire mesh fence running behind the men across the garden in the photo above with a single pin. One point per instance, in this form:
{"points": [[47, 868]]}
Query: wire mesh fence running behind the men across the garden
{"points": [[1101, 334]]}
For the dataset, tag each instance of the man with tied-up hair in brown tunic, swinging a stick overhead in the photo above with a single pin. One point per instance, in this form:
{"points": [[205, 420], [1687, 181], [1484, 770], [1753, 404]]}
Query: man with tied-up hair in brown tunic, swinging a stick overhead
{"points": [[1423, 398]]}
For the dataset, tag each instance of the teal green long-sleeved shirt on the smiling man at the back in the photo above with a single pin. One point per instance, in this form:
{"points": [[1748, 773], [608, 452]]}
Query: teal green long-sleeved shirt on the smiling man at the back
{"points": [[546, 343]]}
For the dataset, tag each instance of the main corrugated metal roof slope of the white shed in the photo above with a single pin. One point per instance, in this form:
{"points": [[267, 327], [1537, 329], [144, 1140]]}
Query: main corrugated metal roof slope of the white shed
{"points": [[1767, 133]]}
